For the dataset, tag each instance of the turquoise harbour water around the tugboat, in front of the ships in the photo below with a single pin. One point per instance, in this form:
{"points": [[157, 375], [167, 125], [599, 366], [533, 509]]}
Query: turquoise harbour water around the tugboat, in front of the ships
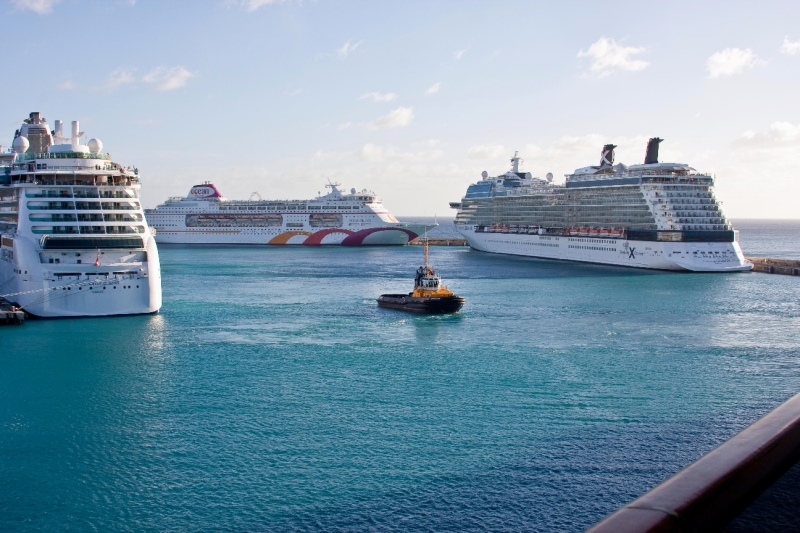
{"points": [[271, 394]]}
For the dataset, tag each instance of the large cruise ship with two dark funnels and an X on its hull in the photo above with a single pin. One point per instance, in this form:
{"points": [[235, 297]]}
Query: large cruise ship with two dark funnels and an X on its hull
{"points": [[654, 215]]}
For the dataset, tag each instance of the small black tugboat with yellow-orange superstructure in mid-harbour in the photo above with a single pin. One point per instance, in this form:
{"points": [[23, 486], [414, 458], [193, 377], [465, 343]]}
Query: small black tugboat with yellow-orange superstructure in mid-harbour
{"points": [[429, 295]]}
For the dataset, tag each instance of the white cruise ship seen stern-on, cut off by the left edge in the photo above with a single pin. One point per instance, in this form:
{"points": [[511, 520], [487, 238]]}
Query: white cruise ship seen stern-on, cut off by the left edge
{"points": [[74, 238]]}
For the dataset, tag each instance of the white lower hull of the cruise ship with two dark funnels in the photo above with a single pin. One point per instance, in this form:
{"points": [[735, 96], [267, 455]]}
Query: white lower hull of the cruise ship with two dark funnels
{"points": [[677, 256]]}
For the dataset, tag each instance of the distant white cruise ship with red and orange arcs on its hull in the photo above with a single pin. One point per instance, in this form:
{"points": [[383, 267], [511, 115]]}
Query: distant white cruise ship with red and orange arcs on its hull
{"points": [[207, 217]]}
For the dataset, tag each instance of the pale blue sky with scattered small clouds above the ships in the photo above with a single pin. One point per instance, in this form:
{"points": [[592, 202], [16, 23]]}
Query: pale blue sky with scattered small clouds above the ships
{"points": [[413, 99]]}
